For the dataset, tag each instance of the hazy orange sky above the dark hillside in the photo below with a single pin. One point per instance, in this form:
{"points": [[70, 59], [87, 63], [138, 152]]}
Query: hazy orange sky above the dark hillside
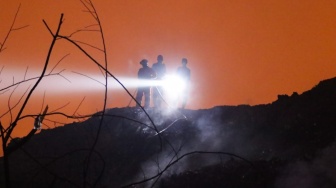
{"points": [[239, 52]]}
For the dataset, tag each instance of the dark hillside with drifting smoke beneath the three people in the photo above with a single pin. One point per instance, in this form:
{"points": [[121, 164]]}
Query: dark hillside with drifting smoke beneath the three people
{"points": [[287, 143]]}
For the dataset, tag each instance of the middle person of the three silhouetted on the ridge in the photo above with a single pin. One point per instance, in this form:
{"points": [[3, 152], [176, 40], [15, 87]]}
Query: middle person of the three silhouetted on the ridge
{"points": [[160, 70]]}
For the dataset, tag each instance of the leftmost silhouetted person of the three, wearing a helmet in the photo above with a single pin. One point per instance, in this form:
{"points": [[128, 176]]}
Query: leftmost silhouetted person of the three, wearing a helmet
{"points": [[144, 73]]}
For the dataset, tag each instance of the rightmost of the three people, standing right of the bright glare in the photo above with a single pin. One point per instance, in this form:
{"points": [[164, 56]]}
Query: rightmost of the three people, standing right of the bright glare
{"points": [[184, 73]]}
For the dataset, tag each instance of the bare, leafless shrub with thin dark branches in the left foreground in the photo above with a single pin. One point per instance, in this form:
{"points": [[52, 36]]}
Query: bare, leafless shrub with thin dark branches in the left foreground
{"points": [[21, 104]]}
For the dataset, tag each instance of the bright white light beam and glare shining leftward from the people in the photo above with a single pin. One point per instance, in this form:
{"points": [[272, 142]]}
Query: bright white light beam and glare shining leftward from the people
{"points": [[171, 86]]}
